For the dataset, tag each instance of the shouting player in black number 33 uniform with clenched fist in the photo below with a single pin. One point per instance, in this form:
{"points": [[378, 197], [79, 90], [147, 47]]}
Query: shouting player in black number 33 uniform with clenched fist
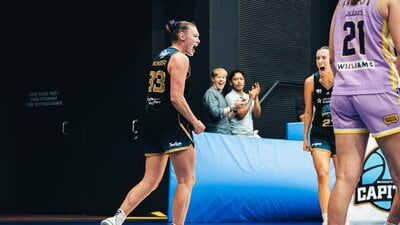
{"points": [[166, 136]]}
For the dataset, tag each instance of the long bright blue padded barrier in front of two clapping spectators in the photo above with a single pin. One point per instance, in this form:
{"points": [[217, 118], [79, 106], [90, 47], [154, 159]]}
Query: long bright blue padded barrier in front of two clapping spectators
{"points": [[242, 179]]}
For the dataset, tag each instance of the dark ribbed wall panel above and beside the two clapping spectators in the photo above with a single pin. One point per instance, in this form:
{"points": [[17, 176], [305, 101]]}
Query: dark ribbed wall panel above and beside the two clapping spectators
{"points": [[275, 40]]}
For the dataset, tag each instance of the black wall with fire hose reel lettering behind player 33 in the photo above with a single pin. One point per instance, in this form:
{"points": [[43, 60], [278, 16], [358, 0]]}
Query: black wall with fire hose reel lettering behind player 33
{"points": [[75, 153]]}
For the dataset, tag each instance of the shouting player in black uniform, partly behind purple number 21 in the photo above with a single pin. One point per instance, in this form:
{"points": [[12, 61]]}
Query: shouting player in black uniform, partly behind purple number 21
{"points": [[317, 95]]}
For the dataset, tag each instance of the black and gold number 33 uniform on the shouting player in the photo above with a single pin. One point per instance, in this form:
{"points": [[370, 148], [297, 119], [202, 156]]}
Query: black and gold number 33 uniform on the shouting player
{"points": [[165, 130]]}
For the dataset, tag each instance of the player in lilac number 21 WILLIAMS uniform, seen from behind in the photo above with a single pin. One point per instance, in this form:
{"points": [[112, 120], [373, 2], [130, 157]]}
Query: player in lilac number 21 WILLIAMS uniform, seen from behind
{"points": [[366, 99]]}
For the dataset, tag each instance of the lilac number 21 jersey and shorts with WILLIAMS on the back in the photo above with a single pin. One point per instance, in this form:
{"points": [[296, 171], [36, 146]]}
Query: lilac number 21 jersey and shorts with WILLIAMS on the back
{"points": [[366, 94]]}
